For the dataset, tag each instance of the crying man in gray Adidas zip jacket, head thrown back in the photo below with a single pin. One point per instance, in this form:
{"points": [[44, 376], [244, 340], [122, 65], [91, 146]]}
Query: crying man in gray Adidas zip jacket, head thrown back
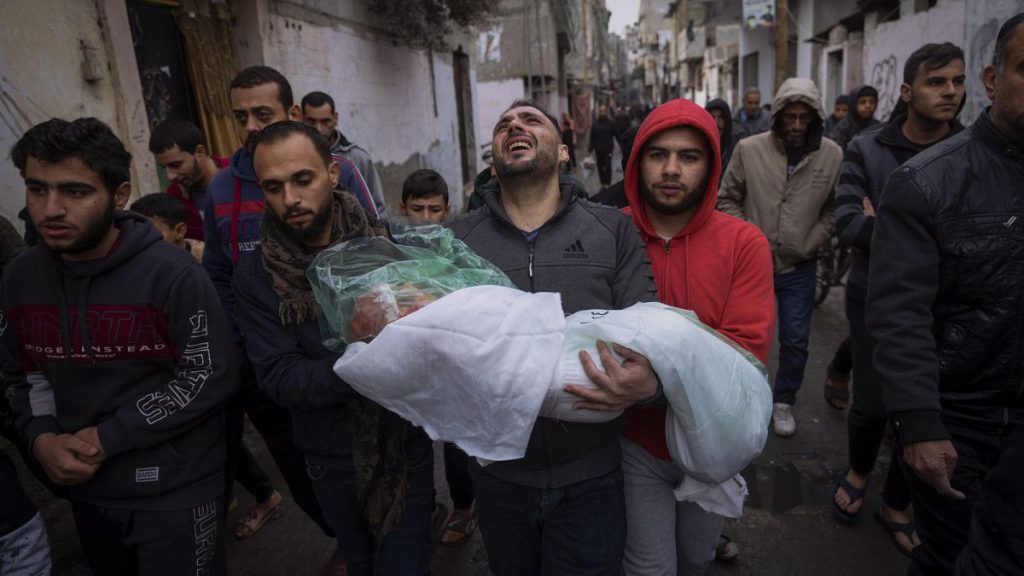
{"points": [[561, 510]]}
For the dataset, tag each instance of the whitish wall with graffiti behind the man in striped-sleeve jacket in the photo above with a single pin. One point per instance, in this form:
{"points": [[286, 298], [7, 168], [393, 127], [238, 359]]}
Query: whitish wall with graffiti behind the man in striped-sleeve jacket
{"points": [[887, 46]]}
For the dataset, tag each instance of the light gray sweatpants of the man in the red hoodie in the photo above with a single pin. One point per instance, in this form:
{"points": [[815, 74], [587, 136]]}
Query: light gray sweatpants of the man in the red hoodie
{"points": [[664, 538]]}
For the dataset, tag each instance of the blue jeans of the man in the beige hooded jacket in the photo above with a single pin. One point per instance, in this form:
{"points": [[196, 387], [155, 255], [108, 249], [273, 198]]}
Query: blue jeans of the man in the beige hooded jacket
{"points": [[794, 304]]}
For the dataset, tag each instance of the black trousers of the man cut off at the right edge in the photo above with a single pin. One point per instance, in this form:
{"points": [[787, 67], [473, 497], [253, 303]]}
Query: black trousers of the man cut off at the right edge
{"points": [[944, 524]]}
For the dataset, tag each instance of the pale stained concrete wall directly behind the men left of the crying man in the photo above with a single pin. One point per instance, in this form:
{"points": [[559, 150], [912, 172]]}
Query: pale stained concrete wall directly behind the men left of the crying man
{"points": [[397, 103]]}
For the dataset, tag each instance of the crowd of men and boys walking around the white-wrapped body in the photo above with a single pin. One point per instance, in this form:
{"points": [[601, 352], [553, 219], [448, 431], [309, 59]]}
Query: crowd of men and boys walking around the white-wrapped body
{"points": [[136, 343]]}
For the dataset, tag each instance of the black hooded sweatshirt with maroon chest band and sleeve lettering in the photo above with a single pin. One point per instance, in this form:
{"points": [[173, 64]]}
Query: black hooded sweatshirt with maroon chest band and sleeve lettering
{"points": [[136, 344]]}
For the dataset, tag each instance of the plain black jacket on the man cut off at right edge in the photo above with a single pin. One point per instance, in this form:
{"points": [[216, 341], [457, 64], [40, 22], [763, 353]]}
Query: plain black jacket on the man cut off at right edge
{"points": [[946, 304]]}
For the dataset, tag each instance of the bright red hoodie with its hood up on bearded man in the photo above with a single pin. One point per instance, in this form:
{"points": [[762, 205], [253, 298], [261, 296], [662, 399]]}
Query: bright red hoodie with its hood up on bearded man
{"points": [[719, 267]]}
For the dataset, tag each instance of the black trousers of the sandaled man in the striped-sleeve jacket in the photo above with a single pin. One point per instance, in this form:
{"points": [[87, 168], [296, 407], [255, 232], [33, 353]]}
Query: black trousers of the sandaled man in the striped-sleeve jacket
{"points": [[867, 421]]}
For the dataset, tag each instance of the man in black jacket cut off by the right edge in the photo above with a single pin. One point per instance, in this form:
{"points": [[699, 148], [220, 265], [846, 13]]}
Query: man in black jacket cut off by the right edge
{"points": [[946, 307]]}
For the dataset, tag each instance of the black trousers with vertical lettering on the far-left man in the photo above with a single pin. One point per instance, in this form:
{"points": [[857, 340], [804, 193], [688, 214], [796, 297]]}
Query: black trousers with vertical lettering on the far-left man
{"points": [[124, 543]]}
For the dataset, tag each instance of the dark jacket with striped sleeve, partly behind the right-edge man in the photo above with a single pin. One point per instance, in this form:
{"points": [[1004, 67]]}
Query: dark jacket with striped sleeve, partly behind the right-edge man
{"points": [[869, 161]]}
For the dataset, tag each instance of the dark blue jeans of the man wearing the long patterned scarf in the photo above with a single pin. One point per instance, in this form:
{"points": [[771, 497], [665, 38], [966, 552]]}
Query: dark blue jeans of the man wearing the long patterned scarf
{"points": [[406, 551]]}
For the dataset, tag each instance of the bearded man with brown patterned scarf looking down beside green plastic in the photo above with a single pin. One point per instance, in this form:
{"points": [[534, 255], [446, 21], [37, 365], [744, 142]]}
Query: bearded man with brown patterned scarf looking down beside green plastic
{"points": [[372, 473]]}
